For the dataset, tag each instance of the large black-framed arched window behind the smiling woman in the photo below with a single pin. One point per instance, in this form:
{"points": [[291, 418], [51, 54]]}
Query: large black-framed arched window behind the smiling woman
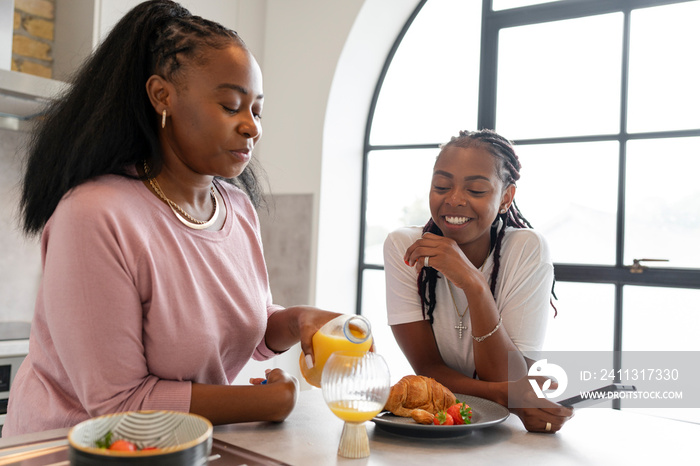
{"points": [[600, 98]]}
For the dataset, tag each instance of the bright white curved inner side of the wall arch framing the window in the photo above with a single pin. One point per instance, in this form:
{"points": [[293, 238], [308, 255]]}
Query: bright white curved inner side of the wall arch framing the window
{"points": [[345, 116]]}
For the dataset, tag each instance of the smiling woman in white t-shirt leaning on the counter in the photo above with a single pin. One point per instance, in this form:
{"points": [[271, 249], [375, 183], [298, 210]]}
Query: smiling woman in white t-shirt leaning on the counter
{"points": [[474, 284]]}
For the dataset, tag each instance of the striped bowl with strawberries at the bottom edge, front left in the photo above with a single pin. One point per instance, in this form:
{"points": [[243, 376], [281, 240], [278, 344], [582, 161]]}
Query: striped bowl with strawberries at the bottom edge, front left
{"points": [[141, 438]]}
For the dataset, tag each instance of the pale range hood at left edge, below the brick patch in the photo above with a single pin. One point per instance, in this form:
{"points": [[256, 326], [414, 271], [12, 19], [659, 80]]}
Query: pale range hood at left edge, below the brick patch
{"points": [[24, 96]]}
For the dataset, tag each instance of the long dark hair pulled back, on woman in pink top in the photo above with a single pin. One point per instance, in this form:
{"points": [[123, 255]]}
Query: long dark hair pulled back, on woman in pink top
{"points": [[104, 124]]}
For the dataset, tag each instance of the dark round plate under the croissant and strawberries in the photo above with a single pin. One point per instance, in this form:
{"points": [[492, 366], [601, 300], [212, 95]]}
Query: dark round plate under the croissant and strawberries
{"points": [[485, 413]]}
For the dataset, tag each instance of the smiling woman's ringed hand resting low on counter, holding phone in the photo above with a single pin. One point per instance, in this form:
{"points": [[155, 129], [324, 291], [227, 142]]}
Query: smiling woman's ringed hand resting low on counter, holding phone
{"points": [[536, 414]]}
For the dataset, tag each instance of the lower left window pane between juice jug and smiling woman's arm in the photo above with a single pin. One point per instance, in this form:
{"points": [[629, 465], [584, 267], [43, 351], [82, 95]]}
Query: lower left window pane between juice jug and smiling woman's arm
{"points": [[374, 308]]}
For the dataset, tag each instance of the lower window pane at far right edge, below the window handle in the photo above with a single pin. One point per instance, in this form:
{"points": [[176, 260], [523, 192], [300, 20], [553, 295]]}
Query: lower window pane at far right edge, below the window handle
{"points": [[660, 319]]}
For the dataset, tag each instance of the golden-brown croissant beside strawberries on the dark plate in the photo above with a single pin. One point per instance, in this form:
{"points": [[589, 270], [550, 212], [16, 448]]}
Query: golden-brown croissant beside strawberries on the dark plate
{"points": [[418, 392]]}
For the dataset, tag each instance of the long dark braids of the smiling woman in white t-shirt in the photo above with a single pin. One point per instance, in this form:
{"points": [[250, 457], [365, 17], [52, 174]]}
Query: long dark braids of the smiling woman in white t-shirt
{"points": [[508, 170]]}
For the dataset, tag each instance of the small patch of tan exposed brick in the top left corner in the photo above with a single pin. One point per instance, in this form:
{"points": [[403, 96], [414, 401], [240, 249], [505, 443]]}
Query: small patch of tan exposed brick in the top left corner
{"points": [[32, 40]]}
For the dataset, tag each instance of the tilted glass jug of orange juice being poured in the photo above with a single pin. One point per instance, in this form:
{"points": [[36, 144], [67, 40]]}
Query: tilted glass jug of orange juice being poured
{"points": [[348, 332]]}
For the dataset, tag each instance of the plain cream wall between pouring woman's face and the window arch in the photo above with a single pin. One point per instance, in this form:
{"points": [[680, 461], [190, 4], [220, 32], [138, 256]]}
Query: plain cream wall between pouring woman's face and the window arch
{"points": [[302, 43]]}
